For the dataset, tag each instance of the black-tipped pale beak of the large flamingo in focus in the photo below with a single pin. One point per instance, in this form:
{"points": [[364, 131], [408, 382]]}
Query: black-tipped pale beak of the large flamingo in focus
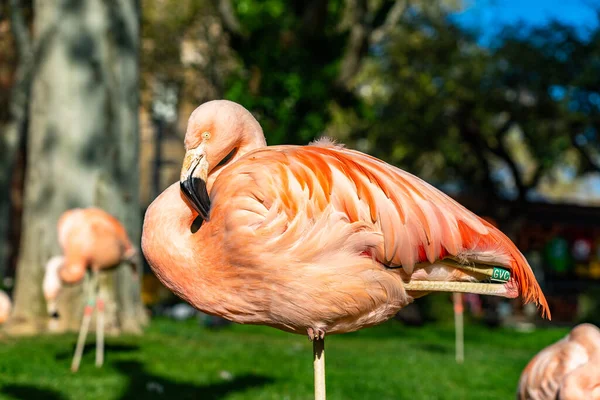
{"points": [[192, 181]]}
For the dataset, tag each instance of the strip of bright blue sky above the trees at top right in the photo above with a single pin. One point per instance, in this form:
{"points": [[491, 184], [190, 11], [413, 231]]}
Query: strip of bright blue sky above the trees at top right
{"points": [[488, 16]]}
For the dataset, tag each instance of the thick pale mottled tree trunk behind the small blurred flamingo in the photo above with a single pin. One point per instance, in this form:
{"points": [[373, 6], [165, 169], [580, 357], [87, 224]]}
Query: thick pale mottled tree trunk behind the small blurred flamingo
{"points": [[82, 150]]}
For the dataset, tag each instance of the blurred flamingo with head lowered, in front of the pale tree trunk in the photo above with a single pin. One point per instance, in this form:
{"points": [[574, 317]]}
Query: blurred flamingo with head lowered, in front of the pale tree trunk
{"points": [[91, 240]]}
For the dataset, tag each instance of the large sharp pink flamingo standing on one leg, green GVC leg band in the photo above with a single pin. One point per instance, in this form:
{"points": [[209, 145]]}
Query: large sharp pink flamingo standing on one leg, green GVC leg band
{"points": [[315, 239]]}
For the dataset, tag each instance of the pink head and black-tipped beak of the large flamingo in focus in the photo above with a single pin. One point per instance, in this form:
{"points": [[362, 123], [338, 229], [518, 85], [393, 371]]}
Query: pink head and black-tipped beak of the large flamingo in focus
{"points": [[218, 133]]}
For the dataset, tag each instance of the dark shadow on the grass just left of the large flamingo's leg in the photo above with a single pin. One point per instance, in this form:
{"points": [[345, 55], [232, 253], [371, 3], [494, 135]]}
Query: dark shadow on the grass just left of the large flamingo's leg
{"points": [[143, 384]]}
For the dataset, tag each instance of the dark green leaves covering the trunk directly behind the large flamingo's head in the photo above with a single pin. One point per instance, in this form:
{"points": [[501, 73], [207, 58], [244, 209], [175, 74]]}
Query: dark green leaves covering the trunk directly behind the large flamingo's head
{"points": [[289, 65]]}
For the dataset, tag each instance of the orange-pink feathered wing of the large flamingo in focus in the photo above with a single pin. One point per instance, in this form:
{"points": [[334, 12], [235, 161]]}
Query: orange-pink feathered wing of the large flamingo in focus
{"points": [[287, 194]]}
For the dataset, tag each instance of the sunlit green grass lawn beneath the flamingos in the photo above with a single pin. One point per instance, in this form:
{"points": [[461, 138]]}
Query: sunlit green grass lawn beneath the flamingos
{"points": [[245, 362]]}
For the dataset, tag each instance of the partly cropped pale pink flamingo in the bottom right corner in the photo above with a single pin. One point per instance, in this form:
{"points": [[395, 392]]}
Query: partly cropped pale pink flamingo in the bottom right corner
{"points": [[566, 370]]}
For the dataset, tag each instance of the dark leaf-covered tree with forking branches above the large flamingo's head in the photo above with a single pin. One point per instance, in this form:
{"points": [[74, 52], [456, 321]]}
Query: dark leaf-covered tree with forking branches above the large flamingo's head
{"points": [[300, 58]]}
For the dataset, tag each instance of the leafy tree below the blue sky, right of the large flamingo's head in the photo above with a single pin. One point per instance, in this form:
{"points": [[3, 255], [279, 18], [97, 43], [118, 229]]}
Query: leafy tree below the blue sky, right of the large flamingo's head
{"points": [[497, 121]]}
